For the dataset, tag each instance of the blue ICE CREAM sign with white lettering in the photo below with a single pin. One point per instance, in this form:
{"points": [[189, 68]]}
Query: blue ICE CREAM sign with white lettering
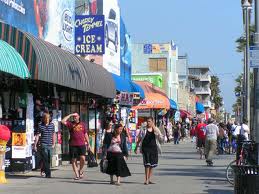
{"points": [[89, 34]]}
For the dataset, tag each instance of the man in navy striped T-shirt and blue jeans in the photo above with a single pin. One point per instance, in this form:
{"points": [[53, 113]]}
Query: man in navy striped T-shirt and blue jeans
{"points": [[47, 139]]}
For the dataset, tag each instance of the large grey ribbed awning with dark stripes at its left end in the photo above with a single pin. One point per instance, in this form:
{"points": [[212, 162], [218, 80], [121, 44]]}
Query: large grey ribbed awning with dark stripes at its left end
{"points": [[52, 64]]}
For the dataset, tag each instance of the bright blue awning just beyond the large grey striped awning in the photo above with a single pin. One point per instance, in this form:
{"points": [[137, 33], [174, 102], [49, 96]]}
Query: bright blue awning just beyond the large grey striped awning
{"points": [[124, 85]]}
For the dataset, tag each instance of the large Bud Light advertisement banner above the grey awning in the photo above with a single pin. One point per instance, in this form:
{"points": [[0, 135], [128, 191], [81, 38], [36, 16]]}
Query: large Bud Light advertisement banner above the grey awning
{"points": [[53, 22]]}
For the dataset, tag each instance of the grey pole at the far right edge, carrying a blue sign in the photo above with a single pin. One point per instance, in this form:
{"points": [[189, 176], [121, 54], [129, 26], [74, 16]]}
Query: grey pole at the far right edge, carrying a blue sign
{"points": [[256, 82]]}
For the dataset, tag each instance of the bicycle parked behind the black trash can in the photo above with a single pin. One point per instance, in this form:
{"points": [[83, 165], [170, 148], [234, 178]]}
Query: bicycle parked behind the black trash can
{"points": [[245, 158]]}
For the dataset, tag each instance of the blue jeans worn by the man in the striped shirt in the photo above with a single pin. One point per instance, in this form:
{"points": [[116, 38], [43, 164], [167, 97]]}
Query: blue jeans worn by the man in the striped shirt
{"points": [[46, 152]]}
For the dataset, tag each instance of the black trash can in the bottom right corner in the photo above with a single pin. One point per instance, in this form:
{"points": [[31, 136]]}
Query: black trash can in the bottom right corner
{"points": [[246, 179]]}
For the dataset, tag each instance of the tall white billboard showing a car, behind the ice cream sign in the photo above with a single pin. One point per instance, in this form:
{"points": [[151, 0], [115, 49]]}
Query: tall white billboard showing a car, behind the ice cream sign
{"points": [[111, 59]]}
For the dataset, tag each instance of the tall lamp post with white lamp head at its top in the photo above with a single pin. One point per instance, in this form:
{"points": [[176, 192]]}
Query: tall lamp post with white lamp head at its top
{"points": [[246, 9]]}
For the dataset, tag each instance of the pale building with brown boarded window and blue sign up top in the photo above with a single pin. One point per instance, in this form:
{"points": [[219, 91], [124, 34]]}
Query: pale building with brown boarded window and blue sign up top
{"points": [[157, 58]]}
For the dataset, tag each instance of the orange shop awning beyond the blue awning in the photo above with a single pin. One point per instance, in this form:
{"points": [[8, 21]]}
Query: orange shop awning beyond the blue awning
{"points": [[155, 98]]}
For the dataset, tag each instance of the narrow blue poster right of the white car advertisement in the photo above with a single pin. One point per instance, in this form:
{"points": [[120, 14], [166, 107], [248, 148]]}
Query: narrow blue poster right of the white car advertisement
{"points": [[125, 52]]}
